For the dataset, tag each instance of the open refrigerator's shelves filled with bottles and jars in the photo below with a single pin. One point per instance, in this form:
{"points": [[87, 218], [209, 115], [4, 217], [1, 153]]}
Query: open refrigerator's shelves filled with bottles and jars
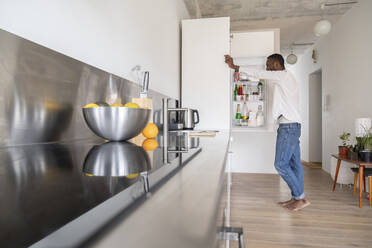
{"points": [[248, 102]]}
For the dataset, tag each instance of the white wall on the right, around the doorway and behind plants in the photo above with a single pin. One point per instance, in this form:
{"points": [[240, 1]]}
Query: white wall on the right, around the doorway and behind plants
{"points": [[344, 55]]}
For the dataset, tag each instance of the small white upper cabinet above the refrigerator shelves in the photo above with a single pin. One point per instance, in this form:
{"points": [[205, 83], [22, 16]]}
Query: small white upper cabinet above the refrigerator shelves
{"points": [[255, 43]]}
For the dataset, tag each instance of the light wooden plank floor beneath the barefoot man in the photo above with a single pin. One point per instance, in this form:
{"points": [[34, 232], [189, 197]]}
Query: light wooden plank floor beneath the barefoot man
{"points": [[332, 220]]}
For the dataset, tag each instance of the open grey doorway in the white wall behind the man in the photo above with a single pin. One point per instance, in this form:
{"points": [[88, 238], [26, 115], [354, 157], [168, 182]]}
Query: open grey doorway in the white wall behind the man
{"points": [[315, 117]]}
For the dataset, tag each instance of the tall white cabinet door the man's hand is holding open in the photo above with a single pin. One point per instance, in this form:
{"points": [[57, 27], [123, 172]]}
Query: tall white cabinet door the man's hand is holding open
{"points": [[205, 76]]}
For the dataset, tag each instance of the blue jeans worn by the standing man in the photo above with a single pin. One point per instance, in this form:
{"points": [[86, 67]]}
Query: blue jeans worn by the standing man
{"points": [[287, 158]]}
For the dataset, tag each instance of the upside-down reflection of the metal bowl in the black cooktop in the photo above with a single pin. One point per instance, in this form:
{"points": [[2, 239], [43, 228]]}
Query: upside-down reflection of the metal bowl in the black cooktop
{"points": [[116, 159]]}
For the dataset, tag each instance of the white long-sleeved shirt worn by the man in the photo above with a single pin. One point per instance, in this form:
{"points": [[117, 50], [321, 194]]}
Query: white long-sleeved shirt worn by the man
{"points": [[286, 97]]}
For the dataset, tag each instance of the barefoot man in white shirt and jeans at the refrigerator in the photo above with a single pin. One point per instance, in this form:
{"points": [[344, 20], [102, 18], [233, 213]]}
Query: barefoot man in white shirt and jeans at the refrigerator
{"points": [[286, 111]]}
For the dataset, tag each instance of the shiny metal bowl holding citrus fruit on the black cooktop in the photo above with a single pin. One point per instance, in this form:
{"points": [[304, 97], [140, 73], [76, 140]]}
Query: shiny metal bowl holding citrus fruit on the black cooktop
{"points": [[116, 123]]}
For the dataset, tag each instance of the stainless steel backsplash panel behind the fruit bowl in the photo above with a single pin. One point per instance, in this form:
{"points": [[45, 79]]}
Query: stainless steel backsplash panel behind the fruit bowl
{"points": [[42, 93]]}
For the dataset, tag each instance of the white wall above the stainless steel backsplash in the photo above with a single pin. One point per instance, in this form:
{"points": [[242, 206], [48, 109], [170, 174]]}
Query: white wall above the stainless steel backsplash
{"points": [[112, 35]]}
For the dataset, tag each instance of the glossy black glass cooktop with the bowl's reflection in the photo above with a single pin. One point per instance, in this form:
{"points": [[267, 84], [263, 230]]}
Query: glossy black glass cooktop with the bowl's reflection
{"points": [[44, 187]]}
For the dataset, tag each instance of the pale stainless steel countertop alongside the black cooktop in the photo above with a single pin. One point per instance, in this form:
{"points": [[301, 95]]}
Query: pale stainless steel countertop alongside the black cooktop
{"points": [[183, 211]]}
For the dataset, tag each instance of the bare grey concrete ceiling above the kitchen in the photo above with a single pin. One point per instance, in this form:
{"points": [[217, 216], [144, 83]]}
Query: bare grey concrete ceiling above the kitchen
{"points": [[295, 18]]}
